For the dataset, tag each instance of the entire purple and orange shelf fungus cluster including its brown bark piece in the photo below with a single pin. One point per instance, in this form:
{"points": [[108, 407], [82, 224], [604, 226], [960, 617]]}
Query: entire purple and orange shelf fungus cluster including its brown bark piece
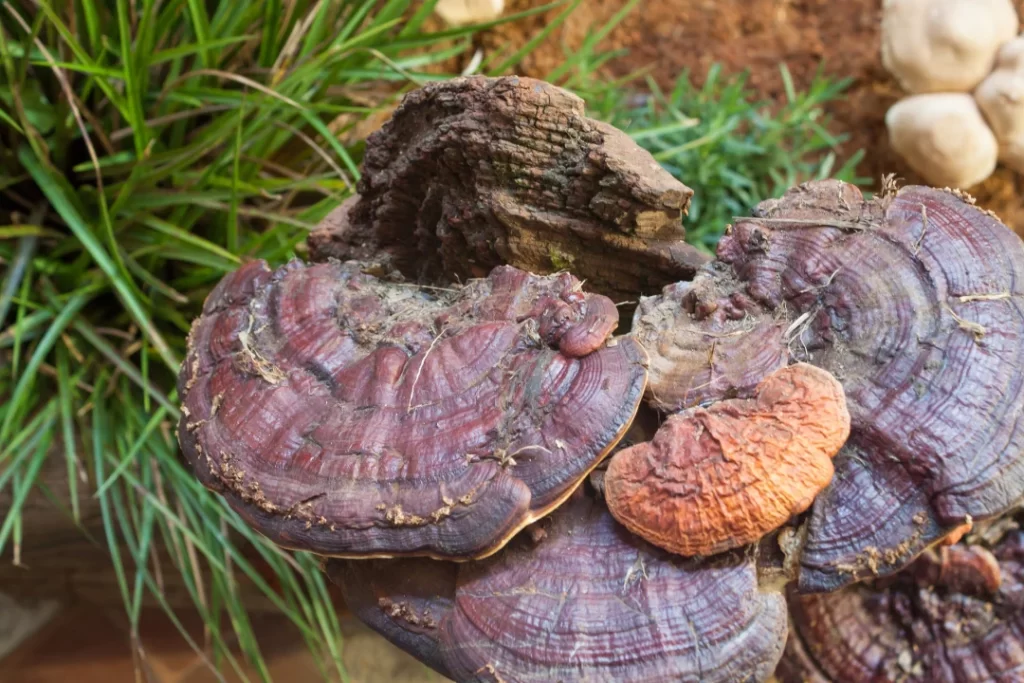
{"points": [[809, 444]]}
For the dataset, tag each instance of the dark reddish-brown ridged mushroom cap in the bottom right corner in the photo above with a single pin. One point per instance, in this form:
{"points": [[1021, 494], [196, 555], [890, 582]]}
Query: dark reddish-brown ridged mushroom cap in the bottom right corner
{"points": [[956, 616]]}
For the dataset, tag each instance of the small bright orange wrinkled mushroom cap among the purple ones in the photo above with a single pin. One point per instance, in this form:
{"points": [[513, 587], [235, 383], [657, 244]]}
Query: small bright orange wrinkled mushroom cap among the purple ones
{"points": [[721, 478]]}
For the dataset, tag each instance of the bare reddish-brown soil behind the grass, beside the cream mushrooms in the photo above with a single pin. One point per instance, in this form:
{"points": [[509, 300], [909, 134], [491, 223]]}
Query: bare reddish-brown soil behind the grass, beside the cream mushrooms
{"points": [[757, 35]]}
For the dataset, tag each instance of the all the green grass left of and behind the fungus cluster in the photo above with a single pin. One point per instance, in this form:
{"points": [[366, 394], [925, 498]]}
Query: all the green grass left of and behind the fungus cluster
{"points": [[149, 148]]}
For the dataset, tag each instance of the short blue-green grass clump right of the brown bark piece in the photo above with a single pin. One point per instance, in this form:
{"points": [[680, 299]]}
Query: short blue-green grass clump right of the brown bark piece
{"points": [[732, 149]]}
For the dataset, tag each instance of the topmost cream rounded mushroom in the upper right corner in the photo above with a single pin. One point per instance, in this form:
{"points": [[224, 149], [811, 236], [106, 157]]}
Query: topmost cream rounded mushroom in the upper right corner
{"points": [[945, 46]]}
